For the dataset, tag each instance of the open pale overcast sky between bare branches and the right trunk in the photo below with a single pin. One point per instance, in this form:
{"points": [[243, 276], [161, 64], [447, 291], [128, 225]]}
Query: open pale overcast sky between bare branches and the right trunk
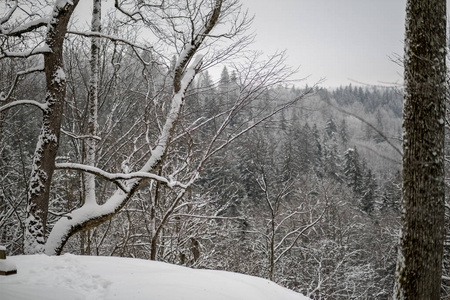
{"points": [[343, 41]]}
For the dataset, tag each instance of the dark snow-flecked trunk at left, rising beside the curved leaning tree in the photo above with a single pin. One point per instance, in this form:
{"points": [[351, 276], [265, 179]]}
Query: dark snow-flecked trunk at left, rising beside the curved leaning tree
{"points": [[48, 140]]}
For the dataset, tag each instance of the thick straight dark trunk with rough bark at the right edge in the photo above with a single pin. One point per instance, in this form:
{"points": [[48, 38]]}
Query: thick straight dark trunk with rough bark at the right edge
{"points": [[419, 266]]}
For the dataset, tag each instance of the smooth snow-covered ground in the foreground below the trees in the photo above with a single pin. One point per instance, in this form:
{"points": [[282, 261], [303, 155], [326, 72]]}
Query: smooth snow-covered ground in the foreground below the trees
{"points": [[71, 277]]}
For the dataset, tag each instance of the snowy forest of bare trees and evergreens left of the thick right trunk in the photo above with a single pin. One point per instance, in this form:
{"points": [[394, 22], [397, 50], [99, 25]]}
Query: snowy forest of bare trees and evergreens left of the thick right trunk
{"points": [[153, 133]]}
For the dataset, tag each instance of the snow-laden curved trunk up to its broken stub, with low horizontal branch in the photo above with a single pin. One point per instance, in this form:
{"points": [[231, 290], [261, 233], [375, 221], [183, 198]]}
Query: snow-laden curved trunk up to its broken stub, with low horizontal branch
{"points": [[86, 217]]}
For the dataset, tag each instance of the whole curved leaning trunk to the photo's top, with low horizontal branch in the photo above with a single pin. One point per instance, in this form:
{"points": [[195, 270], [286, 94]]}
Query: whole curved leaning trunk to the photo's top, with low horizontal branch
{"points": [[91, 214]]}
